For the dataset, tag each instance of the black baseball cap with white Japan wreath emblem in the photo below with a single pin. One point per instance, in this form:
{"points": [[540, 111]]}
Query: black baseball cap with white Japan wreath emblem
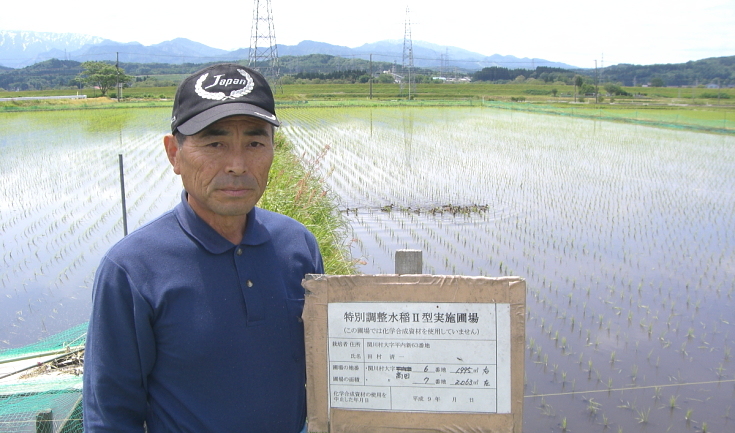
{"points": [[219, 91]]}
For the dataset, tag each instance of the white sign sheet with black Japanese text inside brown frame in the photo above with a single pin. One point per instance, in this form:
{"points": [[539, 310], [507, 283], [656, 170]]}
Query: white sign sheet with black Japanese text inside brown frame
{"points": [[420, 357]]}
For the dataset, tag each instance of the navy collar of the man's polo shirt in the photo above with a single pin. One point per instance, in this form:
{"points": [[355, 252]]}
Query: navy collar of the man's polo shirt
{"points": [[255, 231]]}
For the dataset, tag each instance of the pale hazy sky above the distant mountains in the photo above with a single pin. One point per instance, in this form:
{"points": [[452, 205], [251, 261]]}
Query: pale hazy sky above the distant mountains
{"points": [[576, 32]]}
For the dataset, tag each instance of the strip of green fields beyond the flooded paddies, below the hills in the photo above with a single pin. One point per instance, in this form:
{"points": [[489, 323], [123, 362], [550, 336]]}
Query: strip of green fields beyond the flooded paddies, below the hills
{"points": [[663, 107]]}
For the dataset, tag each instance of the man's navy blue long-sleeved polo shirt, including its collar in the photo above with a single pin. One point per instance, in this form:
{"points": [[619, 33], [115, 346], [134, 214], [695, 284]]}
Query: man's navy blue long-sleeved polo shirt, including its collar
{"points": [[191, 333]]}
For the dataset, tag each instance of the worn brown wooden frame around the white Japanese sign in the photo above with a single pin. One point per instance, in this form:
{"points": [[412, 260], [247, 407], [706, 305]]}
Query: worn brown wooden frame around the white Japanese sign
{"points": [[321, 290]]}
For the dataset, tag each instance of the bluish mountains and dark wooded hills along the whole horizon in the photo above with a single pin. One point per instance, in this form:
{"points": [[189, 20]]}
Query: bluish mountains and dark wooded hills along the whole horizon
{"points": [[33, 60]]}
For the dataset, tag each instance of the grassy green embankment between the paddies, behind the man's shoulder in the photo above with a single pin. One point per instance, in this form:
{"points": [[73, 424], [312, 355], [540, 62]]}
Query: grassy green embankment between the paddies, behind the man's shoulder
{"points": [[294, 189]]}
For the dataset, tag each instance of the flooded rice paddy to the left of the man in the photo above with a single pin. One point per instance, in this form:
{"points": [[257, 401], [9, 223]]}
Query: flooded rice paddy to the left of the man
{"points": [[60, 208]]}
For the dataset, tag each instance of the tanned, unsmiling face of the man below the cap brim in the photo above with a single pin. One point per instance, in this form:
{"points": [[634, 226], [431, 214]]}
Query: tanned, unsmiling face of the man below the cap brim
{"points": [[224, 167]]}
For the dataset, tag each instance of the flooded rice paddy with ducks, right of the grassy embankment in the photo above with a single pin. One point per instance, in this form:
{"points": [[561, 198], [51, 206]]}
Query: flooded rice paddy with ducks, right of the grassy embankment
{"points": [[625, 234]]}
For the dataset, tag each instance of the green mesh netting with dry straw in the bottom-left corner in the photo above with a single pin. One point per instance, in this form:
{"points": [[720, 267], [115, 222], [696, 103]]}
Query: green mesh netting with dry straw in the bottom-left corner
{"points": [[47, 396]]}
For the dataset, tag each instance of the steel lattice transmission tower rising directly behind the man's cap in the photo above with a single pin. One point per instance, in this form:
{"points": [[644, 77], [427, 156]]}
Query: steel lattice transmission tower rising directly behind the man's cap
{"points": [[263, 49]]}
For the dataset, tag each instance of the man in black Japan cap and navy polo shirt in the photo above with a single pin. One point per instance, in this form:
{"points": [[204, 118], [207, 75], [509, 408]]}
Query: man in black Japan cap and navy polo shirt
{"points": [[196, 321]]}
